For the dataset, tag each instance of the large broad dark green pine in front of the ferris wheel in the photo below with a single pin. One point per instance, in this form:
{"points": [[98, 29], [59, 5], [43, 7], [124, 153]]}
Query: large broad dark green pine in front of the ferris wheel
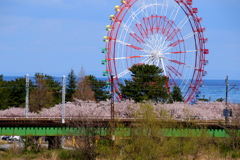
{"points": [[147, 84]]}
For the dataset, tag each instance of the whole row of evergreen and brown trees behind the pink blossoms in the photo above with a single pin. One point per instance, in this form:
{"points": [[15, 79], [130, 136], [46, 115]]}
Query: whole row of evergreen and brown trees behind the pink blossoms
{"points": [[147, 84]]}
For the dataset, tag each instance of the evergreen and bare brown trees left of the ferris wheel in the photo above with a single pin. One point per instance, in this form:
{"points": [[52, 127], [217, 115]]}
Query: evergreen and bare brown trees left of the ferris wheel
{"points": [[45, 91]]}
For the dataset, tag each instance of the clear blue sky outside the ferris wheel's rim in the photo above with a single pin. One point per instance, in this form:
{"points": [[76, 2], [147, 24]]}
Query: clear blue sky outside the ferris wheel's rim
{"points": [[53, 36]]}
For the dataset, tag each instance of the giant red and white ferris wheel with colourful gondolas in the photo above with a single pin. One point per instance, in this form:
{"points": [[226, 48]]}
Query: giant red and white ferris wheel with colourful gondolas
{"points": [[165, 33]]}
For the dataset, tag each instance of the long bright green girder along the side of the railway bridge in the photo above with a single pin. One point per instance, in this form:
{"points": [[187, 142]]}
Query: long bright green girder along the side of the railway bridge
{"points": [[118, 132]]}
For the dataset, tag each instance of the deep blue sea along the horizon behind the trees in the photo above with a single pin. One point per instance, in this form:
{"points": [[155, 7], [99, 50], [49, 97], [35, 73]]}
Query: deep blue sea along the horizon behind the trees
{"points": [[211, 90]]}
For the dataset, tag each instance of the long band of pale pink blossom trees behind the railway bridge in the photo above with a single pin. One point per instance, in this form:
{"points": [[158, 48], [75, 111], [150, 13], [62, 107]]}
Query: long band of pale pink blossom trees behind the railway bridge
{"points": [[126, 109]]}
